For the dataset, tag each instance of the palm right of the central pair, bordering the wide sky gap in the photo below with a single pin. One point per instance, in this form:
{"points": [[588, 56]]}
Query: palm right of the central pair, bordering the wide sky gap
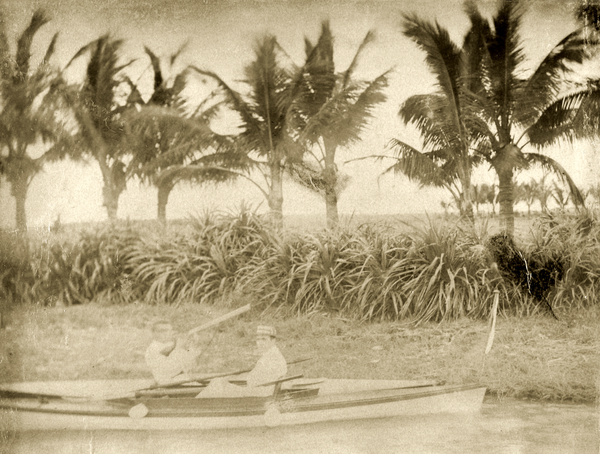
{"points": [[330, 112]]}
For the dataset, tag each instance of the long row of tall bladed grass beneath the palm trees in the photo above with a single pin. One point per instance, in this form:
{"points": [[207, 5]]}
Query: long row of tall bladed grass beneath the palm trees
{"points": [[371, 272]]}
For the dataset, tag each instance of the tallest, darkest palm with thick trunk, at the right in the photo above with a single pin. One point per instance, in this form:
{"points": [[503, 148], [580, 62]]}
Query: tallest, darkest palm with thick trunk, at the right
{"points": [[506, 101]]}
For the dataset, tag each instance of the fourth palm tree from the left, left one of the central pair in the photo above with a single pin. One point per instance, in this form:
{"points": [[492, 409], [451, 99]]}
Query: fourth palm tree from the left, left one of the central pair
{"points": [[263, 112]]}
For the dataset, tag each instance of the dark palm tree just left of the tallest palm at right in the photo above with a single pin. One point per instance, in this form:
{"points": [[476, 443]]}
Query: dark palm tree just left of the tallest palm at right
{"points": [[450, 140]]}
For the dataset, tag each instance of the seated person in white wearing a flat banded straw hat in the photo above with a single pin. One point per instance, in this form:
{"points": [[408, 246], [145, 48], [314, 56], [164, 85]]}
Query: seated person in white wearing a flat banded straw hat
{"points": [[270, 367]]}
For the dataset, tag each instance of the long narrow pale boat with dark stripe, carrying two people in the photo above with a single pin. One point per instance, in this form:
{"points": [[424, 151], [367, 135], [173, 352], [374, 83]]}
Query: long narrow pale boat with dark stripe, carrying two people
{"points": [[67, 405]]}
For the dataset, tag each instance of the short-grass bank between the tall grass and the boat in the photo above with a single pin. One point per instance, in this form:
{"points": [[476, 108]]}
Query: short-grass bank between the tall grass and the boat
{"points": [[535, 357]]}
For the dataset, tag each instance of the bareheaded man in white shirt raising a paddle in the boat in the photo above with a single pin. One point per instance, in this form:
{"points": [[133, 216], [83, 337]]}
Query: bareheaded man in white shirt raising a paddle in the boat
{"points": [[168, 356]]}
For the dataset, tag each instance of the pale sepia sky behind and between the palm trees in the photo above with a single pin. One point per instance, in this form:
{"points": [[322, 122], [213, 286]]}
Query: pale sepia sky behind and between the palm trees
{"points": [[219, 35]]}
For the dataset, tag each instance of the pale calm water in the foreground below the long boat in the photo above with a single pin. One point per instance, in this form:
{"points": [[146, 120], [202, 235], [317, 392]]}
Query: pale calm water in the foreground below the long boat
{"points": [[509, 427]]}
